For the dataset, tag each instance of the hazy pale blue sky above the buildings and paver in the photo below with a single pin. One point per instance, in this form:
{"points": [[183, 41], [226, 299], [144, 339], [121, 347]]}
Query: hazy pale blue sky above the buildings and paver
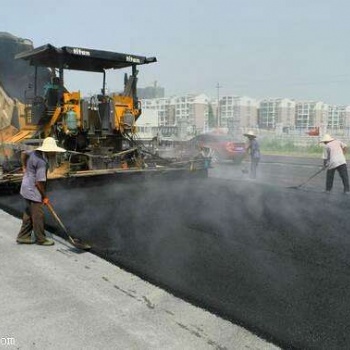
{"points": [[258, 48]]}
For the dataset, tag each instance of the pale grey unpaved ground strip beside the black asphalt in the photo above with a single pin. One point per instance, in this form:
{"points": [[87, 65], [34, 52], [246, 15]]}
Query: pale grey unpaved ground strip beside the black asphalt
{"points": [[60, 298]]}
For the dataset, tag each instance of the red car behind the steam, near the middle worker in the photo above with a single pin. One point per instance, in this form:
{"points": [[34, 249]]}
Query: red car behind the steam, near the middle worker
{"points": [[221, 147]]}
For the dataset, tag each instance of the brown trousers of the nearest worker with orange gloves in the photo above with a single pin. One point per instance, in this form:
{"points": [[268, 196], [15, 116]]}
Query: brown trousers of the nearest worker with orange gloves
{"points": [[33, 219]]}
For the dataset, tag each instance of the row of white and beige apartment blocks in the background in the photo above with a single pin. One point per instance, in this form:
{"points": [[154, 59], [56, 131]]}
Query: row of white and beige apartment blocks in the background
{"points": [[239, 113]]}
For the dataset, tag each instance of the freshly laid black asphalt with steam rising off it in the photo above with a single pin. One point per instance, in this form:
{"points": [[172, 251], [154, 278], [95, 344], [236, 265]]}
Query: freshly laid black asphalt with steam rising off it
{"points": [[272, 259]]}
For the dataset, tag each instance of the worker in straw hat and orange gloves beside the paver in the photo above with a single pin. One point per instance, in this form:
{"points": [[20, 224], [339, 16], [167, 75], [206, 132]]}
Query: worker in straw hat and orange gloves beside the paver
{"points": [[35, 166]]}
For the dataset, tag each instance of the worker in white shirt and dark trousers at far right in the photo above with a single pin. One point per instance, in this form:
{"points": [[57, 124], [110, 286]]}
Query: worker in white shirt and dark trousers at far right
{"points": [[334, 159]]}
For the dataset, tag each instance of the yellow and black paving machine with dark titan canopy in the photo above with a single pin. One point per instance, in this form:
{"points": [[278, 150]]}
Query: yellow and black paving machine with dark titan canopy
{"points": [[94, 129]]}
